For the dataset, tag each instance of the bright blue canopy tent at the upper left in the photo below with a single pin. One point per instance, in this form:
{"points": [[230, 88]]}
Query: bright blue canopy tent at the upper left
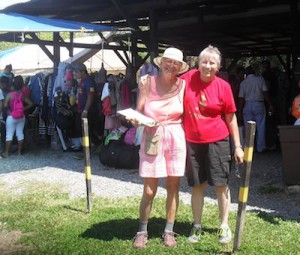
{"points": [[27, 24]]}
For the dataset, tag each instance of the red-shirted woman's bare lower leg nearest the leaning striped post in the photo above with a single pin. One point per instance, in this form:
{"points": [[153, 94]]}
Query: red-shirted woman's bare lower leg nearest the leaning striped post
{"points": [[223, 195]]}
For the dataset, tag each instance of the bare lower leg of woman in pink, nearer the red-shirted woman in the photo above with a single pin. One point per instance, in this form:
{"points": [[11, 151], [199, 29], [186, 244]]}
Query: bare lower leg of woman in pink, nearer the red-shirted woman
{"points": [[172, 185]]}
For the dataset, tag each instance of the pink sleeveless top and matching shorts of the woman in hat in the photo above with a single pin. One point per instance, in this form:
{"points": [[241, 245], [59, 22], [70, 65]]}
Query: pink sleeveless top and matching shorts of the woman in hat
{"points": [[168, 111]]}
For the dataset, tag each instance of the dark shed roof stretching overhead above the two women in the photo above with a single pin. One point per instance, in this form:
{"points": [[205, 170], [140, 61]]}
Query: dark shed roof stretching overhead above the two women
{"points": [[237, 28]]}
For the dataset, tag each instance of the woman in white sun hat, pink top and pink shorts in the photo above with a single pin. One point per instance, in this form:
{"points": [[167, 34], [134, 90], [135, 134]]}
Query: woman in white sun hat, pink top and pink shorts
{"points": [[163, 150]]}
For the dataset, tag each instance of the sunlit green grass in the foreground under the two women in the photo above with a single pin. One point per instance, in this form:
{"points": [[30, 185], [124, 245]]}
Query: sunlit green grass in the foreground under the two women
{"points": [[52, 223]]}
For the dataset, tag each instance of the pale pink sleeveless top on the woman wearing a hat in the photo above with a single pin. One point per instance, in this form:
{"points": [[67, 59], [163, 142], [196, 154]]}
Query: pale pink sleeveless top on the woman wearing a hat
{"points": [[167, 108]]}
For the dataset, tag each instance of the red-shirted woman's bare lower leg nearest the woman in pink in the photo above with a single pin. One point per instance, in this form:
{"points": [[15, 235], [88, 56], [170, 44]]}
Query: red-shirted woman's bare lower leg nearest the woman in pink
{"points": [[198, 202]]}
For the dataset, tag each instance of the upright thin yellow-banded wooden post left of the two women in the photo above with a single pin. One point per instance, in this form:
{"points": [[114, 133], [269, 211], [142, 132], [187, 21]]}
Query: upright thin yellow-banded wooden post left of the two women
{"points": [[87, 162]]}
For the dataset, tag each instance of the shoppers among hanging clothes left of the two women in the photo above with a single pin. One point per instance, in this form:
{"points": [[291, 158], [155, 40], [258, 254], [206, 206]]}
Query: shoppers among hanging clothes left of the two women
{"points": [[56, 103]]}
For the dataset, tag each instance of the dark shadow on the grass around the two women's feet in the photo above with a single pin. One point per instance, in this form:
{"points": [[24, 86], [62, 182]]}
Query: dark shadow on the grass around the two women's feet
{"points": [[126, 228]]}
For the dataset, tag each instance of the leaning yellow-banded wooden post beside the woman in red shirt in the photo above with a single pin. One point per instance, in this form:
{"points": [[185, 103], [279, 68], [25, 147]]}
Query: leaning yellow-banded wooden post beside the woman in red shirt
{"points": [[245, 180]]}
